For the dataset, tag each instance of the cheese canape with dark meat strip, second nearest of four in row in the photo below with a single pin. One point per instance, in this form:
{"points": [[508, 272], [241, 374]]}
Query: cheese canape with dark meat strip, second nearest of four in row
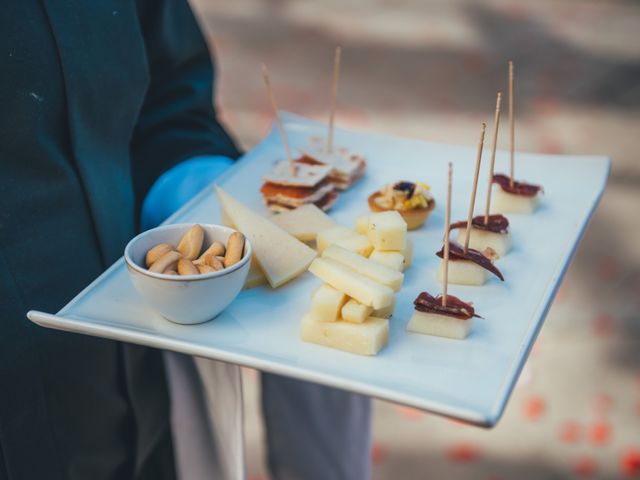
{"points": [[468, 268]]}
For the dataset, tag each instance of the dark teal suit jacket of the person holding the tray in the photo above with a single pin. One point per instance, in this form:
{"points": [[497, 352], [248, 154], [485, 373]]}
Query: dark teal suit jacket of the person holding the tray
{"points": [[97, 99]]}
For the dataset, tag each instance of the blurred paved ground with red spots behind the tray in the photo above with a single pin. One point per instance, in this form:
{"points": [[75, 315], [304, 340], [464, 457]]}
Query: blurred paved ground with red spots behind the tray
{"points": [[431, 69]]}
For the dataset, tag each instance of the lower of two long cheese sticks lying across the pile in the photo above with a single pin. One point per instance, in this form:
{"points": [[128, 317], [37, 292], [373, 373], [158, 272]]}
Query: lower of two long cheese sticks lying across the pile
{"points": [[352, 283]]}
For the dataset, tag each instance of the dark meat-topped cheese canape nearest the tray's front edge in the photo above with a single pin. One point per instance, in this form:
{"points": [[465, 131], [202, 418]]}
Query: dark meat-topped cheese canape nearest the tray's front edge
{"points": [[432, 318]]}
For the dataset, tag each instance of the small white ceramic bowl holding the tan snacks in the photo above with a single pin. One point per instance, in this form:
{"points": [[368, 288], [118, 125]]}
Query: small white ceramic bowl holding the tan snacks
{"points": [[186, 299]]}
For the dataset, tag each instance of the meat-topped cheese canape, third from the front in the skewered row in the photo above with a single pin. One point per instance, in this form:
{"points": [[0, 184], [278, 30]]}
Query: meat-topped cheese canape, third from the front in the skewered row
{"points": [[492, 234]]}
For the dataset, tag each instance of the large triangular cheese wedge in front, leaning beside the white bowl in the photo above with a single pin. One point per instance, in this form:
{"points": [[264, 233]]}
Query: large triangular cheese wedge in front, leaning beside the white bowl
{"points": [[280, 256]]}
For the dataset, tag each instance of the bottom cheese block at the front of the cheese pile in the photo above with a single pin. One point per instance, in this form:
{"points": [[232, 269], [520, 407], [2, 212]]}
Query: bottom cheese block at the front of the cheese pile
{"points": [[361, 338]]}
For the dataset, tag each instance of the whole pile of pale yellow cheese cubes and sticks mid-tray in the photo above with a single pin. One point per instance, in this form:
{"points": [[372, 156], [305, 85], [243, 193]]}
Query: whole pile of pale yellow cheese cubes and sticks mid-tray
{"points": [[362, 270]]}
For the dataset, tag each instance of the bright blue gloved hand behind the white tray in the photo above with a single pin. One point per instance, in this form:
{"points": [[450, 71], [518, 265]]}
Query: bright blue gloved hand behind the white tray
{"points": [[177, 186]]}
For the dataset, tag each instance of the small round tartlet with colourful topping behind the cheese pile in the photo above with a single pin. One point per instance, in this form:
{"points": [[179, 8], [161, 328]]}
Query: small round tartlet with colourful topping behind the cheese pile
{"points": [[401, 196]]}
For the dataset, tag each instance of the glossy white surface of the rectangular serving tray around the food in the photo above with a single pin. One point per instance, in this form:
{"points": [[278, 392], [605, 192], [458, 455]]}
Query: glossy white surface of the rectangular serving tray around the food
{"points": [[467, 379]]}
